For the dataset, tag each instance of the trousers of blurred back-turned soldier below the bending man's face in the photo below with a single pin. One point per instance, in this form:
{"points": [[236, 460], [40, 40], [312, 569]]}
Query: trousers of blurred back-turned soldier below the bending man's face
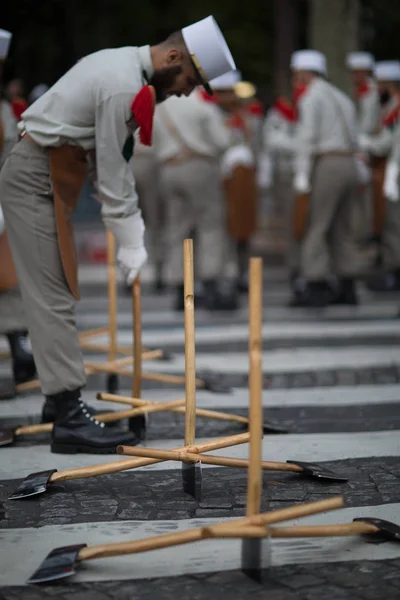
{"points": [[194, 201]]}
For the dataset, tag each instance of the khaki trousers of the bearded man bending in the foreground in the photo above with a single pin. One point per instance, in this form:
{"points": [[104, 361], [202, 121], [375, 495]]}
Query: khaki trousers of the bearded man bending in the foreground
{"points": [[27, 202]]}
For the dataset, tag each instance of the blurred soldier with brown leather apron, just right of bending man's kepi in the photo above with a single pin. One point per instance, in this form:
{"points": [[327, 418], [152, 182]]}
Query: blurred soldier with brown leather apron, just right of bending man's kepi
{"points": [[239, 172]]}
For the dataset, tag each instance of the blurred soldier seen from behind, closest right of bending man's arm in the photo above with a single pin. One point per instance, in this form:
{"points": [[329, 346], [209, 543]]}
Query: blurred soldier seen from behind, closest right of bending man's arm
{"points": [[189, 138]]}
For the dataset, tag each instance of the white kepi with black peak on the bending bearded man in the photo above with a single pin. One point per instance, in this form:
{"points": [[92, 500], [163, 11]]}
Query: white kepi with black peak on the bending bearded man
{"points": [[208, 49]]}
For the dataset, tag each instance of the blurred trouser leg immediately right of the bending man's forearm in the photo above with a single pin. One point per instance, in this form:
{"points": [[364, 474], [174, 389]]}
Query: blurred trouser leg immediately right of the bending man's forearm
{"points": [[146, 173]]}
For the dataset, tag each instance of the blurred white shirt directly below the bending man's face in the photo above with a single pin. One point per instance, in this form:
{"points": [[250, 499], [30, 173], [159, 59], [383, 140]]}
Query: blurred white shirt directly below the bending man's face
{"points": [[199, 124]]}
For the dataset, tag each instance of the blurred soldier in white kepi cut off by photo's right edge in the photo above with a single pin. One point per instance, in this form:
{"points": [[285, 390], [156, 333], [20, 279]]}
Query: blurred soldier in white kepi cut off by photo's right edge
{"points": [[379, 145]]}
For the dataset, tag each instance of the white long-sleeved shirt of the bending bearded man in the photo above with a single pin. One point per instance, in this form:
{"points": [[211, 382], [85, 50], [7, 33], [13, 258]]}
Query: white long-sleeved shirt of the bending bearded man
{"points": [[90, 107]]}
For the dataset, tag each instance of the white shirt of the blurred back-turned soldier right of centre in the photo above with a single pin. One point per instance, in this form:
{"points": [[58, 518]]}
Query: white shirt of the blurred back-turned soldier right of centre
{"points": [[327, 123]]}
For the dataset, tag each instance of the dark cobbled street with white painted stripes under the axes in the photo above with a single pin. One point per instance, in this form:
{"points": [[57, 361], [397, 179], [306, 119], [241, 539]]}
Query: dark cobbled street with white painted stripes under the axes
{"points": [[331, 379]]}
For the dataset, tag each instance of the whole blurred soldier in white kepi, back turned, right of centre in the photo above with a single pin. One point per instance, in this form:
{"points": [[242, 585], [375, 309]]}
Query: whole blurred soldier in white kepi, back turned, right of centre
{"points": [[325, 182]]}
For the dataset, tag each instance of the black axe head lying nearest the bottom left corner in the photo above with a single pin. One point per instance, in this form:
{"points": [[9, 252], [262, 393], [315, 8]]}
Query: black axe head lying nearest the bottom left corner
{"points": [[60, 563]]}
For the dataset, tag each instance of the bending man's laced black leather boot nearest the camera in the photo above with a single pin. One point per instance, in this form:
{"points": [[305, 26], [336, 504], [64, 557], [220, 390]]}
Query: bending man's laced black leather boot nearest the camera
{"points": [[75, 430]]}
